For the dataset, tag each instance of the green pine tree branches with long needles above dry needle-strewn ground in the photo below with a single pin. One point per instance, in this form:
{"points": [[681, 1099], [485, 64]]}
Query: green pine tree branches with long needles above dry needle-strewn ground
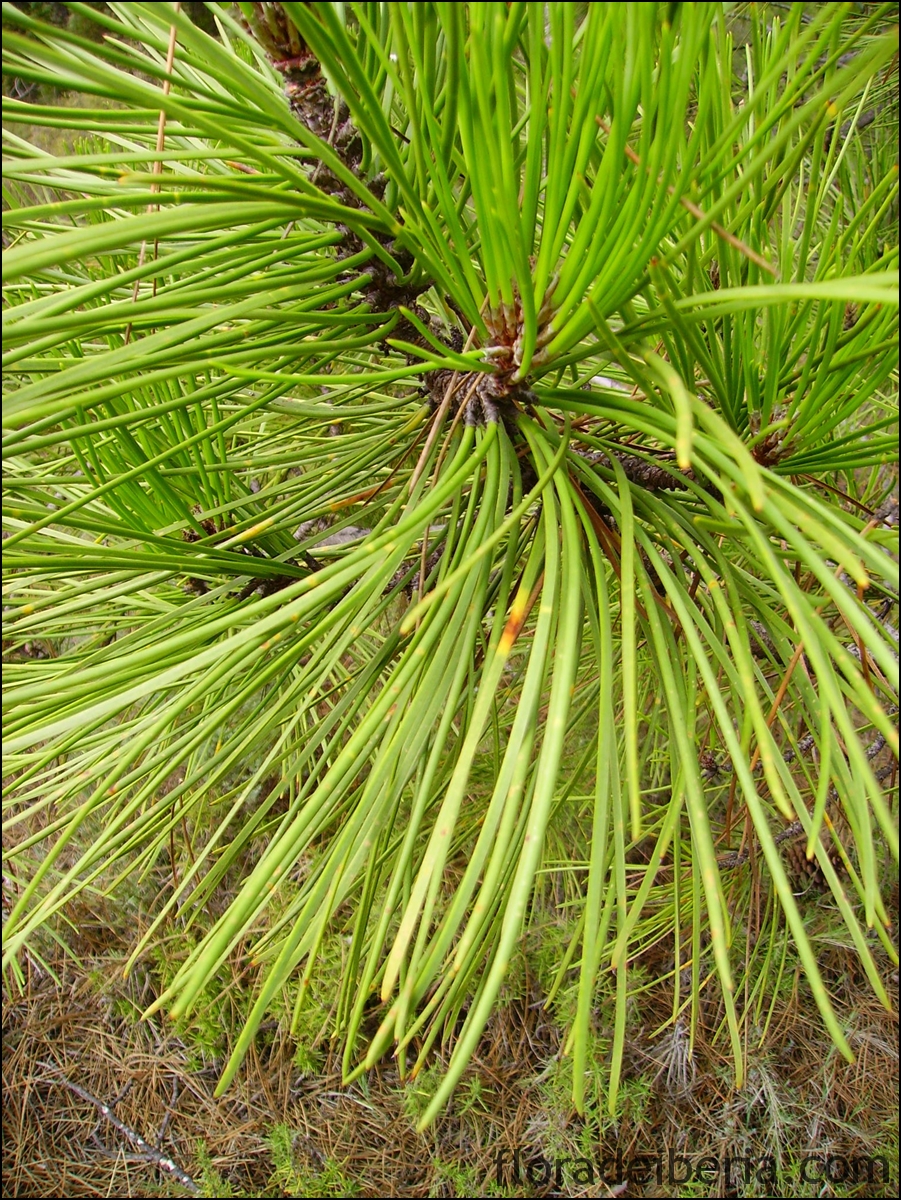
{"points": [[447, 473]]}
